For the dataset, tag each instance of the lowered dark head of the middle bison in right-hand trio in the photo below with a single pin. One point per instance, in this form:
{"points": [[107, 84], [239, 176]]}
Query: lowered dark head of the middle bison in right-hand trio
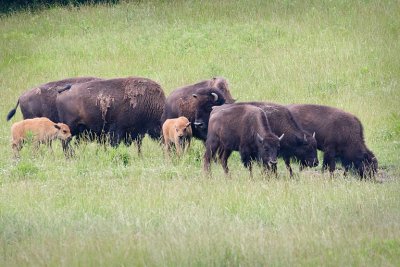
{"points": [[306, 150]]}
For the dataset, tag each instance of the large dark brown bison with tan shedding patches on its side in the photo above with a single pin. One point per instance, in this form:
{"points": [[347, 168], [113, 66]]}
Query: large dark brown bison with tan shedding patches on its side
{"points": [[124, 108]]}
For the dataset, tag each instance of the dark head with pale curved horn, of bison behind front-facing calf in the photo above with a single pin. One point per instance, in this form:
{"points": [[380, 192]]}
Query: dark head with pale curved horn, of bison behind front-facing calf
{"points": [[205, 99]]}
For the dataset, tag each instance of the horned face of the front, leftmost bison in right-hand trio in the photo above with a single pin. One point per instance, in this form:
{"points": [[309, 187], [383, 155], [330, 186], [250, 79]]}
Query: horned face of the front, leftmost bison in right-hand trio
{"points": [[268, 147]]}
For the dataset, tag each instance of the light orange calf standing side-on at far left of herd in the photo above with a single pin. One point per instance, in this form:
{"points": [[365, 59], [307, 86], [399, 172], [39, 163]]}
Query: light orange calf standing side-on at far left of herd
{"points": [[42, 129]]}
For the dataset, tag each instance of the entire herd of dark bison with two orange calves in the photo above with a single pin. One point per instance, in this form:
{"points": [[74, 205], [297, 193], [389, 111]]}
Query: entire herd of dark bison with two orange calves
{"points": [[125, 109]]}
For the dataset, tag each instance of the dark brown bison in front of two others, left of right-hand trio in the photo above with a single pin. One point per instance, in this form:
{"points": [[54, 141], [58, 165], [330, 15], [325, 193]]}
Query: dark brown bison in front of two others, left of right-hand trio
{"points": [[243, 128]]}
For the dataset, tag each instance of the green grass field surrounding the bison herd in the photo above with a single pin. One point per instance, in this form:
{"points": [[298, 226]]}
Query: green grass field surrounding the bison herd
{"points": [[111, 207]]}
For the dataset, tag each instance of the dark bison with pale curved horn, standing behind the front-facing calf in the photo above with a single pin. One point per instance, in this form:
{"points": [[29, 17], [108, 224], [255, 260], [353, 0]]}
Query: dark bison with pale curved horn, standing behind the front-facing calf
{"points": [[187, 100]]}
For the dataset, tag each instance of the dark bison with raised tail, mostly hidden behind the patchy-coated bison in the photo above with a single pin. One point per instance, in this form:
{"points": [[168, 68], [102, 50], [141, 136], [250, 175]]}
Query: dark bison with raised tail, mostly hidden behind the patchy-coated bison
{"points": [[41, 100]]}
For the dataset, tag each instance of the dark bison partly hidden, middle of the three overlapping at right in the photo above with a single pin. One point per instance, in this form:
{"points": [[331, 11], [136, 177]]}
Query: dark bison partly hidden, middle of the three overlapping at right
{"points": [[298, 143]]}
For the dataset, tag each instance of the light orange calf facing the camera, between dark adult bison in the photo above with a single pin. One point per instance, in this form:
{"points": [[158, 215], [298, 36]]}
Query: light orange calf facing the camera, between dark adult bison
{"points": [[179, 132]]}
